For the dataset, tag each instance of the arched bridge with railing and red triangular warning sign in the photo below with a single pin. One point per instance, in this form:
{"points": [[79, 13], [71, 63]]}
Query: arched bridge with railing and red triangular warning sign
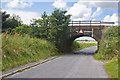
{"points": [[92, 29]]}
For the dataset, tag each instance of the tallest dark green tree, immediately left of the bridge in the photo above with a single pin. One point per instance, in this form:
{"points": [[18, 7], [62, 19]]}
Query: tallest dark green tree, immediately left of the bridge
{"points": [[61, 22]]}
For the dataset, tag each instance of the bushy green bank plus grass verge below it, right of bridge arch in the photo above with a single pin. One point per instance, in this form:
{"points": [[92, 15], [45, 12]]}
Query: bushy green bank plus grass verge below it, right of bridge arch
{"points": [[109, 49]]}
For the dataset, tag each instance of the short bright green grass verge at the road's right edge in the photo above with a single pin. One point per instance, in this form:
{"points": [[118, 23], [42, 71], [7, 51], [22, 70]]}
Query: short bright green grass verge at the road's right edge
{"points": [[110, 67]]}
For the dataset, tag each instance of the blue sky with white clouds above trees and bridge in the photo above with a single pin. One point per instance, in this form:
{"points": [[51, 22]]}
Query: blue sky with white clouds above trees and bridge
{"points": [[79, 10]]}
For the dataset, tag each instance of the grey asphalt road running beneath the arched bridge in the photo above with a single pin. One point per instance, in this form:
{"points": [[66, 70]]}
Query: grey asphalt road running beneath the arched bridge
{"points": [[68, 66]]}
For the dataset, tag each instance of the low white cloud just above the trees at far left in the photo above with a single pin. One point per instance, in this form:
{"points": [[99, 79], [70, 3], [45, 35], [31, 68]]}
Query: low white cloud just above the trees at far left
{"points": [[25, 16]]}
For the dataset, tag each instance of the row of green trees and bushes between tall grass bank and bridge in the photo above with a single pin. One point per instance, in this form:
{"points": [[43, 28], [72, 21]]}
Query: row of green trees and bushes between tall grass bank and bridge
{"points": [[53, 28]]}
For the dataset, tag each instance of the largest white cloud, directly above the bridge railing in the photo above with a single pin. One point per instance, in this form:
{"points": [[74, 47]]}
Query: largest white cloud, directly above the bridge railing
{"points": [[83, 10]]}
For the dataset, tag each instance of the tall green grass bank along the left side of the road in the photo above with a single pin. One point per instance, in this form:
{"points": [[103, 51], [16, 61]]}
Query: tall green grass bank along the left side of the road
{"points": [[17, 50]]}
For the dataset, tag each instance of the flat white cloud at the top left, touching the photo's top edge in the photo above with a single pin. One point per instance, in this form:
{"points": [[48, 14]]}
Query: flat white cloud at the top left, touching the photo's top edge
{"points": [[18, 4]]}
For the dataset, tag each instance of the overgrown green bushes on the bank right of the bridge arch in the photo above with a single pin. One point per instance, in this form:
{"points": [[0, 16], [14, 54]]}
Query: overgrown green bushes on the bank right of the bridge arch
{"points": [[109, 47]]}
